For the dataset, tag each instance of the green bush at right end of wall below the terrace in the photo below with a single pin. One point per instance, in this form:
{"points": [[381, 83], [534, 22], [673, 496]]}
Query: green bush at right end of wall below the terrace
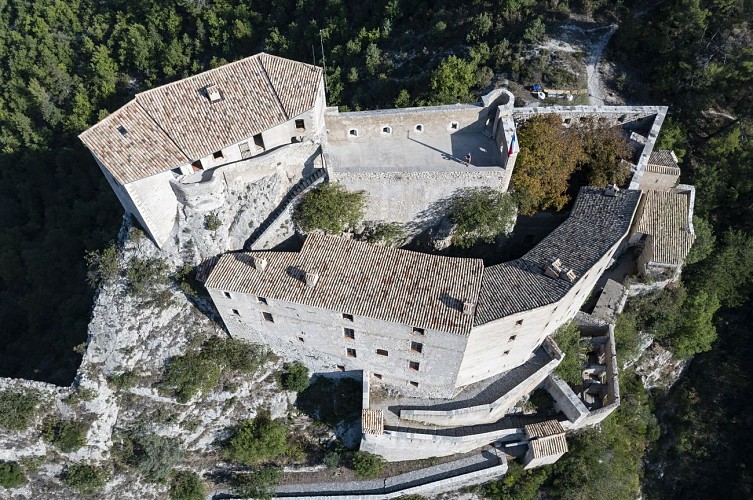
{"points": [[481, 214]]}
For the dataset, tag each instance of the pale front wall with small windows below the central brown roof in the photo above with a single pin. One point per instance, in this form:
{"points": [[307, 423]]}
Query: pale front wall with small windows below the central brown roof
{"points": [[316, 337]]}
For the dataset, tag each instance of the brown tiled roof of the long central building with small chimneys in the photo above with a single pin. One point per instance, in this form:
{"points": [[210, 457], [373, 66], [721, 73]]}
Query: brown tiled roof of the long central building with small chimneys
{"points": [[417, 289]]}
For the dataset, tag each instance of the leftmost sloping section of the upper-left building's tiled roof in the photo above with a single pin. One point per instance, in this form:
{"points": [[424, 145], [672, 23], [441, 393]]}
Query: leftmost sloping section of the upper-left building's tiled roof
{"points": [[131, 145]]}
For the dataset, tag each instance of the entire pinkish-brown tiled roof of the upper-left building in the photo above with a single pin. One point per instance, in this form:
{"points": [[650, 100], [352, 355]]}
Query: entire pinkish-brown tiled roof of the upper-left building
{"points": [[180, 124]]}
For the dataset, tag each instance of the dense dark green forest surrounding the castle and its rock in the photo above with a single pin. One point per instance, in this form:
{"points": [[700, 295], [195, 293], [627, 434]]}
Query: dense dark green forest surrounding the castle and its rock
{"points": [[66, 64]]}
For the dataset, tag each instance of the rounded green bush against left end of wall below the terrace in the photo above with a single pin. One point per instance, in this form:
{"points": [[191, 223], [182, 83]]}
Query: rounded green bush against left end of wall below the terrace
{"points": [[330, 208]]}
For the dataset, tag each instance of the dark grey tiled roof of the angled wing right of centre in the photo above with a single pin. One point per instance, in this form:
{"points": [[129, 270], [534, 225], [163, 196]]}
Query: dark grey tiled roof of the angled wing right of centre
{"points": [[595, 224]]}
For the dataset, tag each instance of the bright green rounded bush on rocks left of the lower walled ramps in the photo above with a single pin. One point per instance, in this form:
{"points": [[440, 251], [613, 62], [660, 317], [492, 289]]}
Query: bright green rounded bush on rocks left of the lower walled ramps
{"points": [[258, 440]]}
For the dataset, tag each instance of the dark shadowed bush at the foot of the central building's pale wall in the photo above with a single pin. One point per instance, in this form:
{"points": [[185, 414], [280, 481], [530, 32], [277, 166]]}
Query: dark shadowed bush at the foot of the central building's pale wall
{"points": [[332, 401]]}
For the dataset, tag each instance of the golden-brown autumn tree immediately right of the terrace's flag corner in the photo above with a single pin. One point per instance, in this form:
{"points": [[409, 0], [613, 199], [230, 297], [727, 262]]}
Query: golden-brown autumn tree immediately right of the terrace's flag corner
{"points": [[548, 157]]}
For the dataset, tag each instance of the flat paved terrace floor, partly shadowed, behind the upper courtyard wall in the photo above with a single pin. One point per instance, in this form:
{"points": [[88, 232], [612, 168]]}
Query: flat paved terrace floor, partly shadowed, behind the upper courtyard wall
{"points": [[415, 152]]}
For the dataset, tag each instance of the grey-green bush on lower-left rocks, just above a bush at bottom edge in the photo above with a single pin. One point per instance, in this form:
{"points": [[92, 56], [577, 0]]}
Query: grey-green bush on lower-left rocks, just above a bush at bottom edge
{"points": [[152, 456]]}
